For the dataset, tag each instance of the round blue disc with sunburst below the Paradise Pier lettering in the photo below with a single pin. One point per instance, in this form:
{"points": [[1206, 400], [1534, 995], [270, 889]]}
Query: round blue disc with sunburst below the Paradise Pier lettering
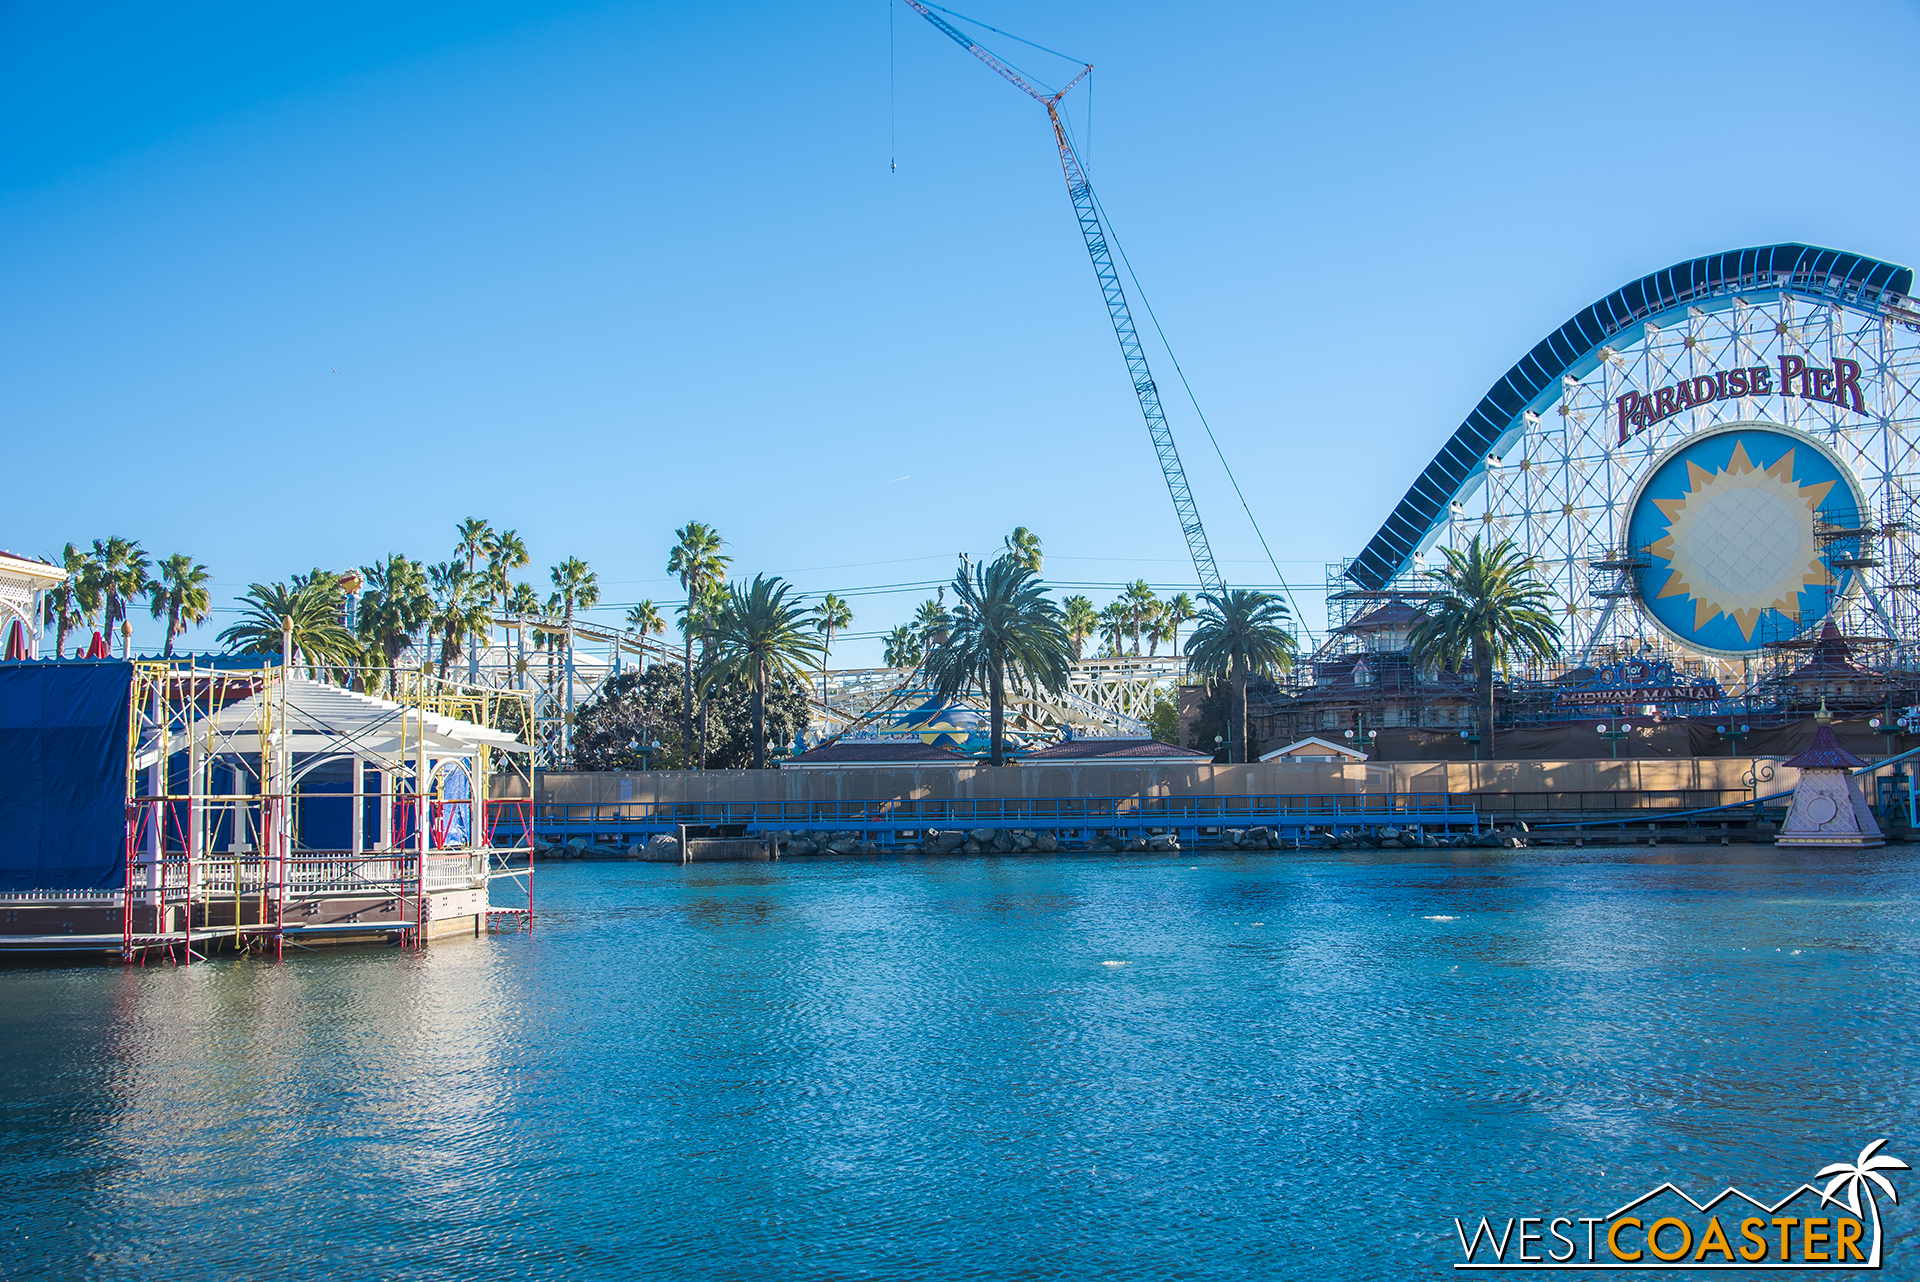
{"points": [[1742, 533]]}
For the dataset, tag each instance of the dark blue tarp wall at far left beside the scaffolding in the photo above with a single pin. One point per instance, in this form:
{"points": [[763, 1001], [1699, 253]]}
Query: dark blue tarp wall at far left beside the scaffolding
{"points": [[64, 753]]}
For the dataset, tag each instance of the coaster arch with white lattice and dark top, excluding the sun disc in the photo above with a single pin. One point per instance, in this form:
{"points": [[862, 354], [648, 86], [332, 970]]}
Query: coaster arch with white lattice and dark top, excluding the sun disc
{"points": [[1558, 448]]}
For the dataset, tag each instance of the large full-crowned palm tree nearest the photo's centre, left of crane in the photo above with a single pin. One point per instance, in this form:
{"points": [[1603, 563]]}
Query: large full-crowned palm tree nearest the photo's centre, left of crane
{"points": [[1005, 632]]}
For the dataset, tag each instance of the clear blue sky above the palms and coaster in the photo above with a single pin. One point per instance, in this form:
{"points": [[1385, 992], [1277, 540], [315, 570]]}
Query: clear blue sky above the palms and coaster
{"points": [[295, 287]]}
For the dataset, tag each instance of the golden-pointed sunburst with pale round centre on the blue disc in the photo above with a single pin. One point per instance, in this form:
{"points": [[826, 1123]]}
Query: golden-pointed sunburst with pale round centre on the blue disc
{"points": [[1742, 540]]}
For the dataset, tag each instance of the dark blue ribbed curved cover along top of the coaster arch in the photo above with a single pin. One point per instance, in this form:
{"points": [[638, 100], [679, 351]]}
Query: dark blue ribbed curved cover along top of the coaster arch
{"points": [[1802, 270]]}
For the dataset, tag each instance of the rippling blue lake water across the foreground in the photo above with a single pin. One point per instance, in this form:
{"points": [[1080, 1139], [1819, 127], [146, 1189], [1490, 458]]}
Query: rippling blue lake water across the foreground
{"points": [[1293, 1066]]}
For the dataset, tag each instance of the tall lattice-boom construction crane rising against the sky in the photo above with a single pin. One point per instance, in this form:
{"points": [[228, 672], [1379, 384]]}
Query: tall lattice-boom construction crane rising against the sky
{"points": [[1116, 298]]}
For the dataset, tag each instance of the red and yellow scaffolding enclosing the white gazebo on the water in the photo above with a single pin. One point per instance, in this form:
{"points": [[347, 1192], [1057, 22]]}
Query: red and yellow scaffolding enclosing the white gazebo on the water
{"points": [[235, 840]]}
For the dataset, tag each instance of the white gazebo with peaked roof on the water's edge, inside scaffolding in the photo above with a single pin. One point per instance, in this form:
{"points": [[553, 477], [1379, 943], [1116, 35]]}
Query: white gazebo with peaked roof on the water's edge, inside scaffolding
{"points": [[239, 788]]}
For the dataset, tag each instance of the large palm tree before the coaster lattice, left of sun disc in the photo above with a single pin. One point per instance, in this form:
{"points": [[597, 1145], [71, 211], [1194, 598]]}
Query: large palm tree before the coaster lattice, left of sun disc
{"points": [[1493, 613]]}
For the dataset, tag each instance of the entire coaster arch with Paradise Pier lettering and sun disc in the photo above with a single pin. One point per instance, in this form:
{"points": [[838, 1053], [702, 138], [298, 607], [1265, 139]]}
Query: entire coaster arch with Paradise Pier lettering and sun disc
{"points": [[1714, 460]]}
